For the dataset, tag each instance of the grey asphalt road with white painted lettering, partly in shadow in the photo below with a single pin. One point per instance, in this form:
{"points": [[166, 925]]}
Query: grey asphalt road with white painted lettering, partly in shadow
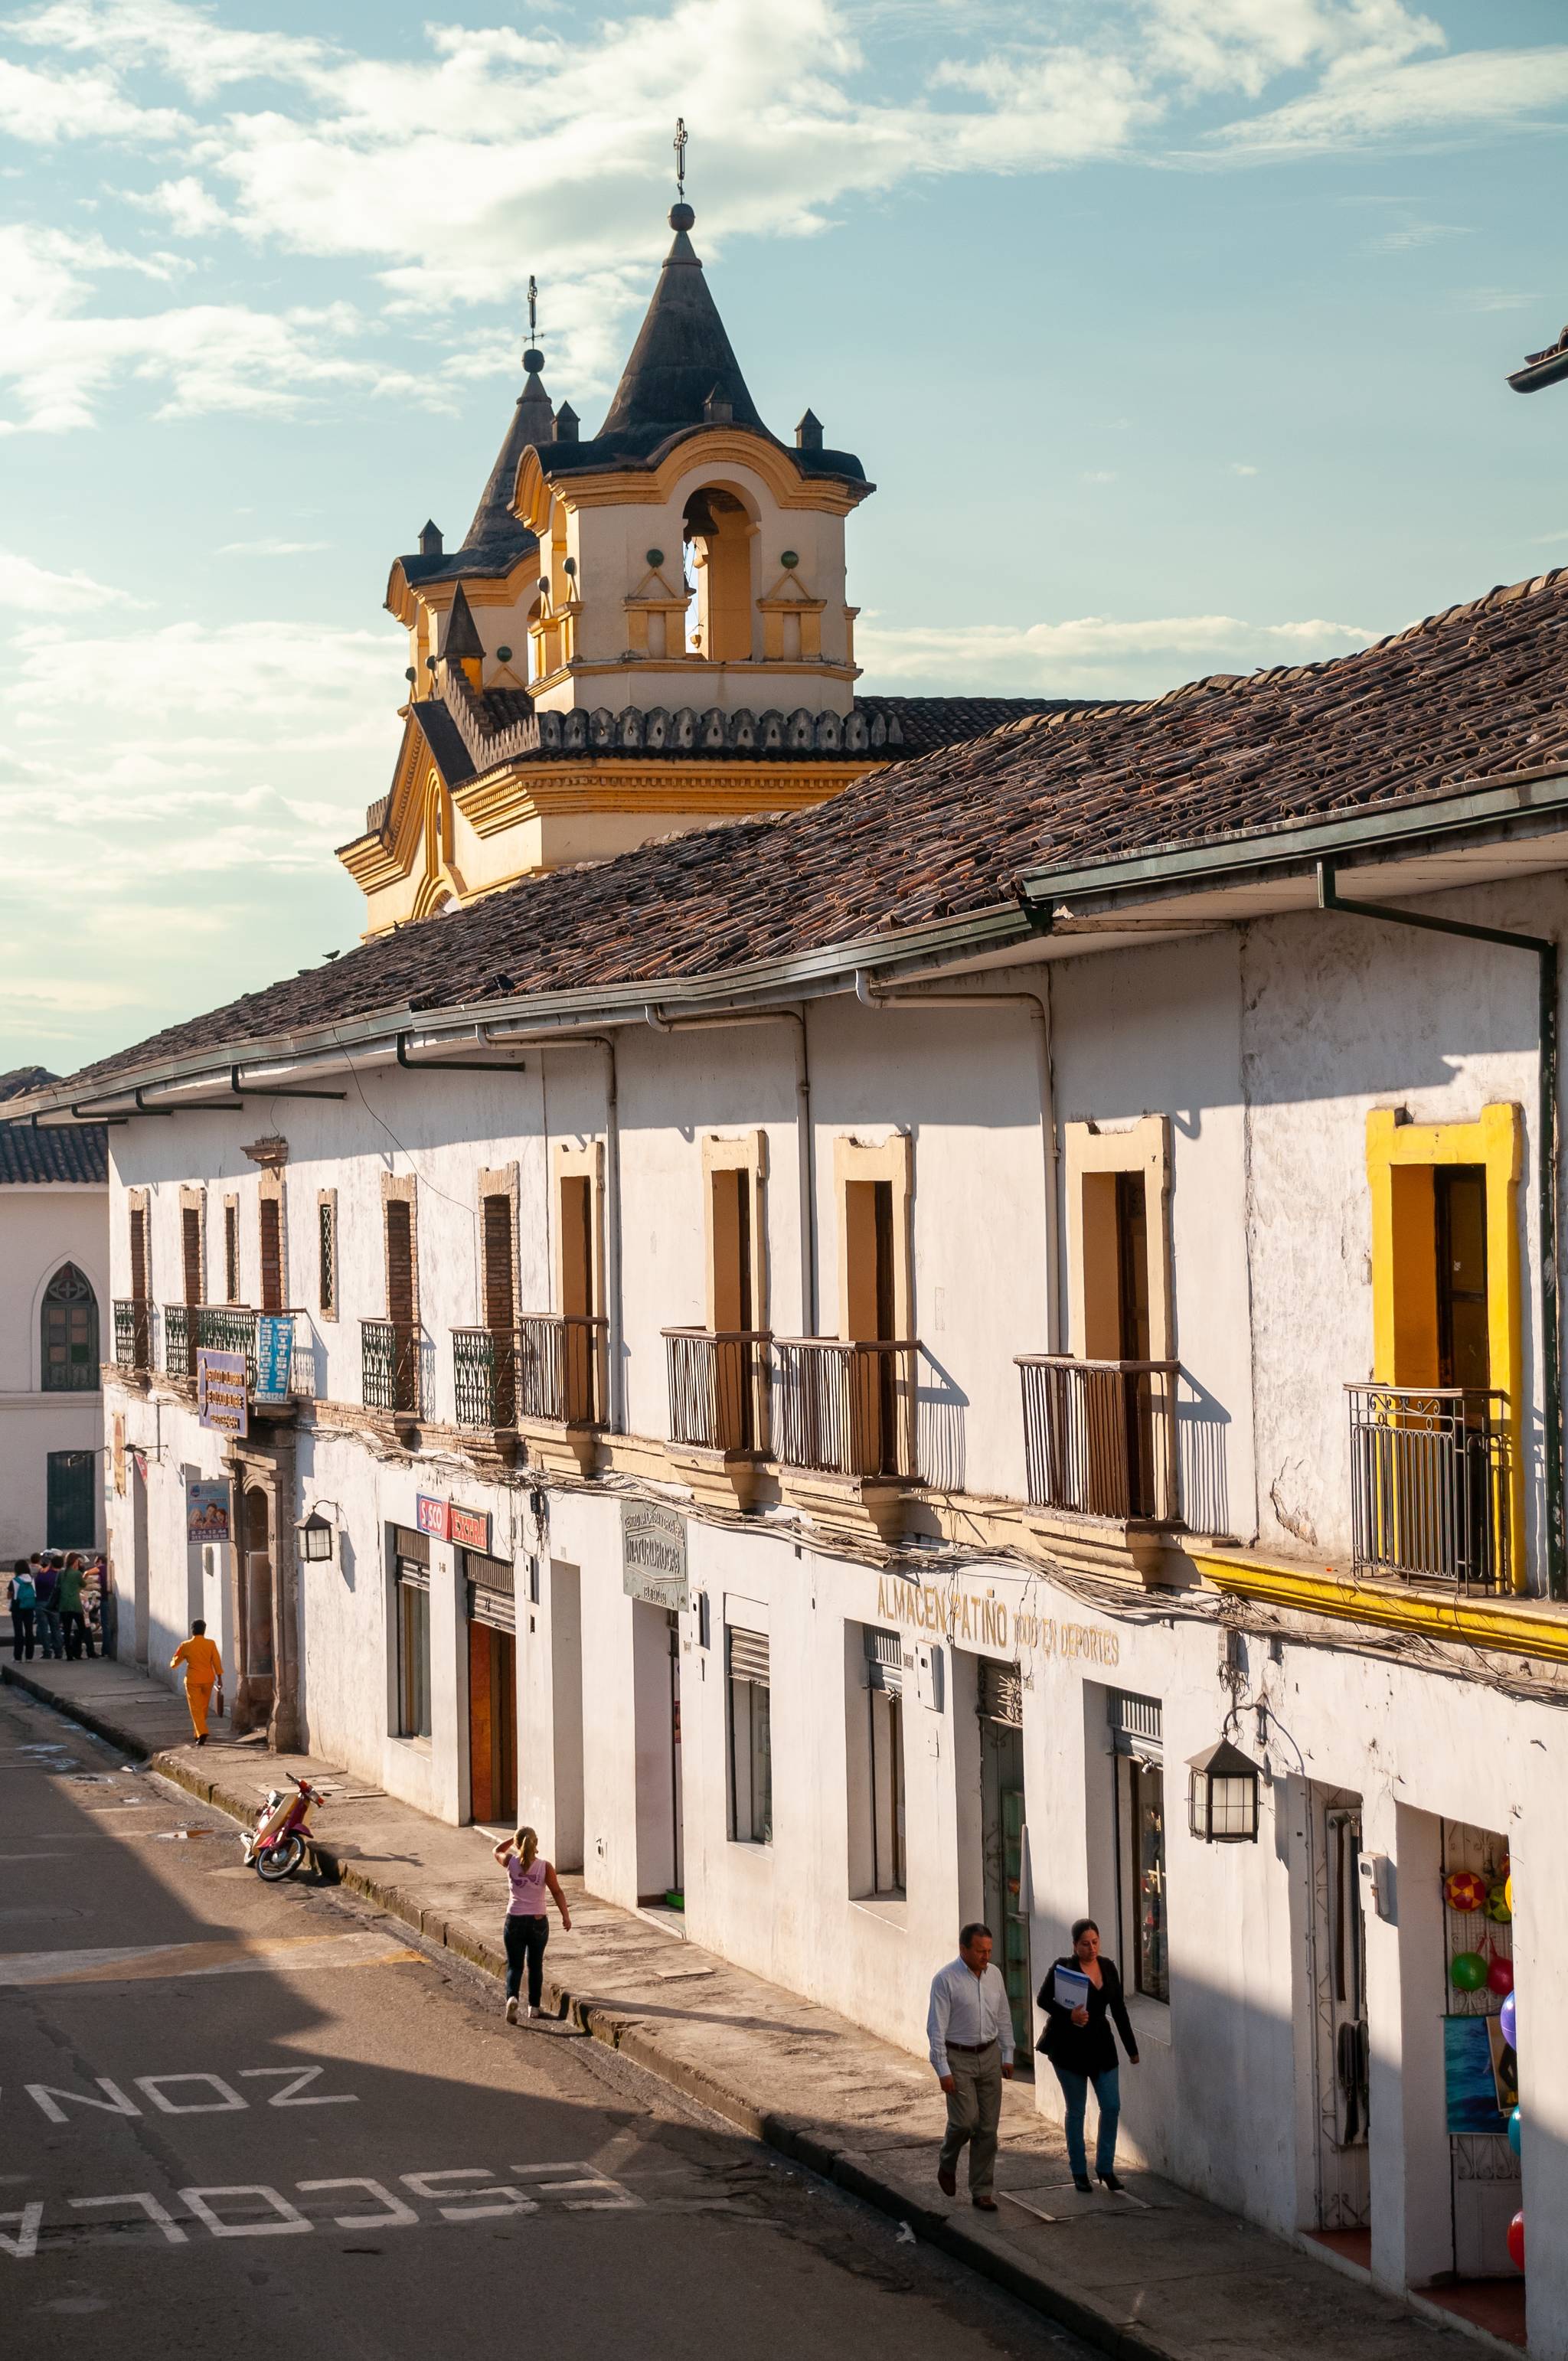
{"points": [[344, 2152]]}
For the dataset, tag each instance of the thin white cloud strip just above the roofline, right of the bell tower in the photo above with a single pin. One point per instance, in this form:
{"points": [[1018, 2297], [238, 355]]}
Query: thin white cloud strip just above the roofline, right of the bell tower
{"points": [[1092, 653]]}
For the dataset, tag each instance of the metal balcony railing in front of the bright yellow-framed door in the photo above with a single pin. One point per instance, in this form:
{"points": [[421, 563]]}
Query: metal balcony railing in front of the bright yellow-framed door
{"points": [[1430, 1486]]}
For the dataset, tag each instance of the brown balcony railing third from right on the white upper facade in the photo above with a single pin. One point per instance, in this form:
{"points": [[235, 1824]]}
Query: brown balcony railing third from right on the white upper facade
{"points": [[847, 1408]]}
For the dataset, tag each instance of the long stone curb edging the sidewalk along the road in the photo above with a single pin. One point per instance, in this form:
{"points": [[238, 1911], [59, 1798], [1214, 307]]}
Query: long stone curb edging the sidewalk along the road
{"points": [[785, 2136]]}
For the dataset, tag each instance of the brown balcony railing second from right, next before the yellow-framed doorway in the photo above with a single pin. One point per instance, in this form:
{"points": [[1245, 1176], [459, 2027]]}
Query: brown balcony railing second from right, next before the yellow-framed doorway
{"points": [[1102, 1437]]}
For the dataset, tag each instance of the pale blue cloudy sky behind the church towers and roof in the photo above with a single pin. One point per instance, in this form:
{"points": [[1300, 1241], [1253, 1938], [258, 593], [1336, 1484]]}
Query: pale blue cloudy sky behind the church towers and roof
{"points": [[1172, 332]]}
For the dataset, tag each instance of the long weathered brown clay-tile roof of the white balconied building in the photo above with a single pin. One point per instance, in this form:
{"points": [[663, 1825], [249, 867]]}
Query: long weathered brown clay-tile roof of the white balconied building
{"points": [[1468, 695]]}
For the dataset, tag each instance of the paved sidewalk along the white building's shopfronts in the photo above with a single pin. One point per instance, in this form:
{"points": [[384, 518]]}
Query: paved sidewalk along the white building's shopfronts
{"points": [[1151, 2277]]}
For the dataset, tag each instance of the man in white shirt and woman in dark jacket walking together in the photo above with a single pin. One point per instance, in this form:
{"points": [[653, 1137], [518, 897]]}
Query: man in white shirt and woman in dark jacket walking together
{"points": [[969, 2034]]}
